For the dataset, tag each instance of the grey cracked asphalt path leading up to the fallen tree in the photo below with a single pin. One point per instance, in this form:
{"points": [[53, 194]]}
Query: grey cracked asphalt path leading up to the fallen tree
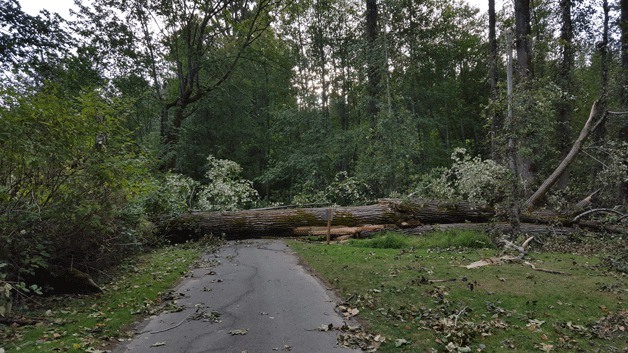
{"points": [[250, 296]]}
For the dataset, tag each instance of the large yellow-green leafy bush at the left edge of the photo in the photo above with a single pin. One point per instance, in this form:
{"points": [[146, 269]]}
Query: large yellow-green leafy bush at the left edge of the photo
{"points": [[67, 174]]}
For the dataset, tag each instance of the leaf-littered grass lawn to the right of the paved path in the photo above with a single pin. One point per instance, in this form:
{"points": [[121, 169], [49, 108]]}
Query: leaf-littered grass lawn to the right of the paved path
{"points": [[415, 289]]}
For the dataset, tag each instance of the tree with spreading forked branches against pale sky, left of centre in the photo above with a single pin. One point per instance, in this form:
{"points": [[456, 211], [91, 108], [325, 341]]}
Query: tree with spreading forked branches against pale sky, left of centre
{"points": [[185, 48]]}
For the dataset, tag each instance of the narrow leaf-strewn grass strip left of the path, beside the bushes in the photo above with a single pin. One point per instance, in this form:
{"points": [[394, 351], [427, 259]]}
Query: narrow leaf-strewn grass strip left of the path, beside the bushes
{"points": [[92, 323]]}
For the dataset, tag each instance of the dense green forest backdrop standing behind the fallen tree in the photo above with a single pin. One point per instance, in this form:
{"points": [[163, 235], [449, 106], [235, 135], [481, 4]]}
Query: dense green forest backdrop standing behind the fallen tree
{"points": [[134, 112]]}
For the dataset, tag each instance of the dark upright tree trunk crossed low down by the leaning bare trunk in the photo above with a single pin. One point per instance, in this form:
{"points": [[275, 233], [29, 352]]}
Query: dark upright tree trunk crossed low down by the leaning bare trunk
{"points": [[565, 109]]}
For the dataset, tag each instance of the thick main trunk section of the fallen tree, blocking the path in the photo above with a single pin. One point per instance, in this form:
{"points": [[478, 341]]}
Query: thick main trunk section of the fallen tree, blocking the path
{"points": [[281, 222]]}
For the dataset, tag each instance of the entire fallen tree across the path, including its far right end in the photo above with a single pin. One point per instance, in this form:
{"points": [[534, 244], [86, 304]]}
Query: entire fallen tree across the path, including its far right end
{"points": [[411, 216]]}
